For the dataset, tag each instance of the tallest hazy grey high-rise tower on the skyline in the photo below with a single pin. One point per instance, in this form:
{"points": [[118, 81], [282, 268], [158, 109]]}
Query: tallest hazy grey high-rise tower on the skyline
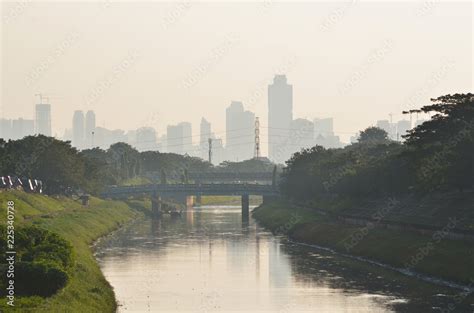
{"points": [[280, 116]]}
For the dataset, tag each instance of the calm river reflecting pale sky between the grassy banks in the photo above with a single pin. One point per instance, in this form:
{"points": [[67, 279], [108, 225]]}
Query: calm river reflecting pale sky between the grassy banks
{"points": [[209, 260]]}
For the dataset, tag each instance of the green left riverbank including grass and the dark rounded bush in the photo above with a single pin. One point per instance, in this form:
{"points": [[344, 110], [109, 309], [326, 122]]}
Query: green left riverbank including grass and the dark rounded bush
{"points": [[53, 238]]}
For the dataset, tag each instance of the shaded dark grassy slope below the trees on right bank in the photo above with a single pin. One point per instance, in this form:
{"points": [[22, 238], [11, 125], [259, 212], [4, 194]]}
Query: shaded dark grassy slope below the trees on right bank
{"points": [[448, 259]]}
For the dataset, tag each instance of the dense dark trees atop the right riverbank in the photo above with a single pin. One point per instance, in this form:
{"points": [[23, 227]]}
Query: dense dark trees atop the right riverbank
{"points": [[437, 155]]}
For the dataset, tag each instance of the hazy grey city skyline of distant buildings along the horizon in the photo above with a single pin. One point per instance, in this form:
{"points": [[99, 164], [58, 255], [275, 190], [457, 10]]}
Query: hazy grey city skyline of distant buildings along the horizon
{"points": [[240, 133]]}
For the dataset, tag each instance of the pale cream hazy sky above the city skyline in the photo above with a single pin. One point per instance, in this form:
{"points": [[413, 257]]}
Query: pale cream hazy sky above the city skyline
{"points": [[154, 63]]}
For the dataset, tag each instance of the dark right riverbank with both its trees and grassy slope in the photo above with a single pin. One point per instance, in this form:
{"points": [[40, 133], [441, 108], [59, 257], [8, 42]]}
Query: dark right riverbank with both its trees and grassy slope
{"points": [[426, 182]]}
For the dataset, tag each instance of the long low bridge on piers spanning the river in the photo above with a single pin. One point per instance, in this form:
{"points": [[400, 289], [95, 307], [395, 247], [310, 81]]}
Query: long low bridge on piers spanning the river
{"points": [[183, 191]]}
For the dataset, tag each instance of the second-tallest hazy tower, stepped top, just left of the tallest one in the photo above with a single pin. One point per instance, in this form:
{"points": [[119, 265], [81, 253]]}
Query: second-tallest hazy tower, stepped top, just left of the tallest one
{"points": [[239, 132]]}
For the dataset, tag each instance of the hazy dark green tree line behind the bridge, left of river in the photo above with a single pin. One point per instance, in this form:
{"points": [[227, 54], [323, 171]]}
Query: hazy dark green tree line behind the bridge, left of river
{"points": [[65, 170]]}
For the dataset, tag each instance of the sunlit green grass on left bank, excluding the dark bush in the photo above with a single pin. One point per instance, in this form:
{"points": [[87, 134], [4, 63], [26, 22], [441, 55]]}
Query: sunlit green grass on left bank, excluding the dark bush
{"points": [[87, 290]]}
